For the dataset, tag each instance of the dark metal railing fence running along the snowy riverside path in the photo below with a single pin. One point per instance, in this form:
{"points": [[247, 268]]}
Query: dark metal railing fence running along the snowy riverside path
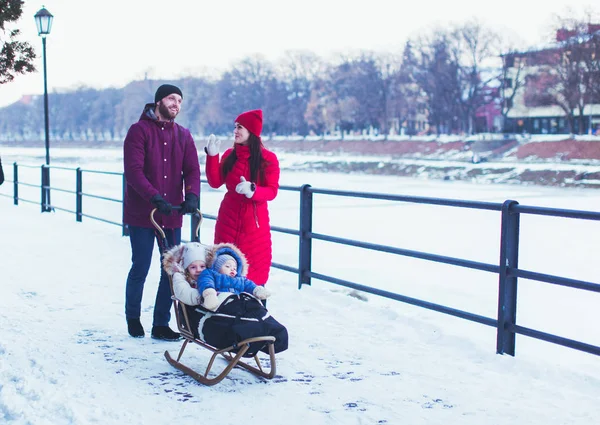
{"points": [[507, 267]]}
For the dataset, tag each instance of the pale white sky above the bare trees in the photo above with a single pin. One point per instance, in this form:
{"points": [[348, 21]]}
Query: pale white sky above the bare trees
{"points": [[114, 42]]}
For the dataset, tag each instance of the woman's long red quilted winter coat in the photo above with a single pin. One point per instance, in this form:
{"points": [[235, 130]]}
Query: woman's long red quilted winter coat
{"points": [[242, 221]]}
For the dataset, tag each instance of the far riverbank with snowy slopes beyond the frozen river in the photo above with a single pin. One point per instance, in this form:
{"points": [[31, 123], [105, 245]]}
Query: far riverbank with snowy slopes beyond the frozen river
{"points": [[542, 160]]}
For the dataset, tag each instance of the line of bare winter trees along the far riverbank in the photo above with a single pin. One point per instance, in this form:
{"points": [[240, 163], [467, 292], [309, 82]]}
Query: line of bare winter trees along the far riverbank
{"points": [[442, 77]]}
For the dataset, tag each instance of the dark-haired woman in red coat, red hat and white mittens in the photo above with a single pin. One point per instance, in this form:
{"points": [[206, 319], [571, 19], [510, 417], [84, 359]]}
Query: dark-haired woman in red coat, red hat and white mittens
{"points": [[251, 175]]}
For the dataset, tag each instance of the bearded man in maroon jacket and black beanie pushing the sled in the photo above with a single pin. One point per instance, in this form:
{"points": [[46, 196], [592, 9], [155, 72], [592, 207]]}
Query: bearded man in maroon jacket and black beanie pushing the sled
{"points": [[160, 159]]}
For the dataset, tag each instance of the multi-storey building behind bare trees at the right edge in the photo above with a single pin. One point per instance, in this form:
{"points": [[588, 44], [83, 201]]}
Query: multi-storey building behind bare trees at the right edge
{"points": [[557, 87]]}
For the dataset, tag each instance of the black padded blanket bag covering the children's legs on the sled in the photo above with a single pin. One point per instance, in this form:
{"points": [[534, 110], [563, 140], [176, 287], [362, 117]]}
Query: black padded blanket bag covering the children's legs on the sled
{"points": [[239, 317]]}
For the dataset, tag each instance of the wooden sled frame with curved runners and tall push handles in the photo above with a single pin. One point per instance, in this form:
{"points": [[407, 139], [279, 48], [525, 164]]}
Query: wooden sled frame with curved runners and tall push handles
{"points": [[187, 318]]}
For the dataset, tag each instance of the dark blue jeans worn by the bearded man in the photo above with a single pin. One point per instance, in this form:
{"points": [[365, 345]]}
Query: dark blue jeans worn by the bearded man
{"points": [[142, 244]]}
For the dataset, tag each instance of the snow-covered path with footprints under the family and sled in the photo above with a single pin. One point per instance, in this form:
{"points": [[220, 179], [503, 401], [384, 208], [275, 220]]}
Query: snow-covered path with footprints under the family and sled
{"points": [[66, 358]]}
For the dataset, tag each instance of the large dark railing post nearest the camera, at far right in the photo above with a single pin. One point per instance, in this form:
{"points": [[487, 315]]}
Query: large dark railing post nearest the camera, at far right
{"points": [[507, 286]]}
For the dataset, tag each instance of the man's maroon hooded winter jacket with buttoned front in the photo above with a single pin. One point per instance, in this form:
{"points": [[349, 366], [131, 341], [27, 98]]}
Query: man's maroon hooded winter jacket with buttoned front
{"points": [[159, 157]]}
